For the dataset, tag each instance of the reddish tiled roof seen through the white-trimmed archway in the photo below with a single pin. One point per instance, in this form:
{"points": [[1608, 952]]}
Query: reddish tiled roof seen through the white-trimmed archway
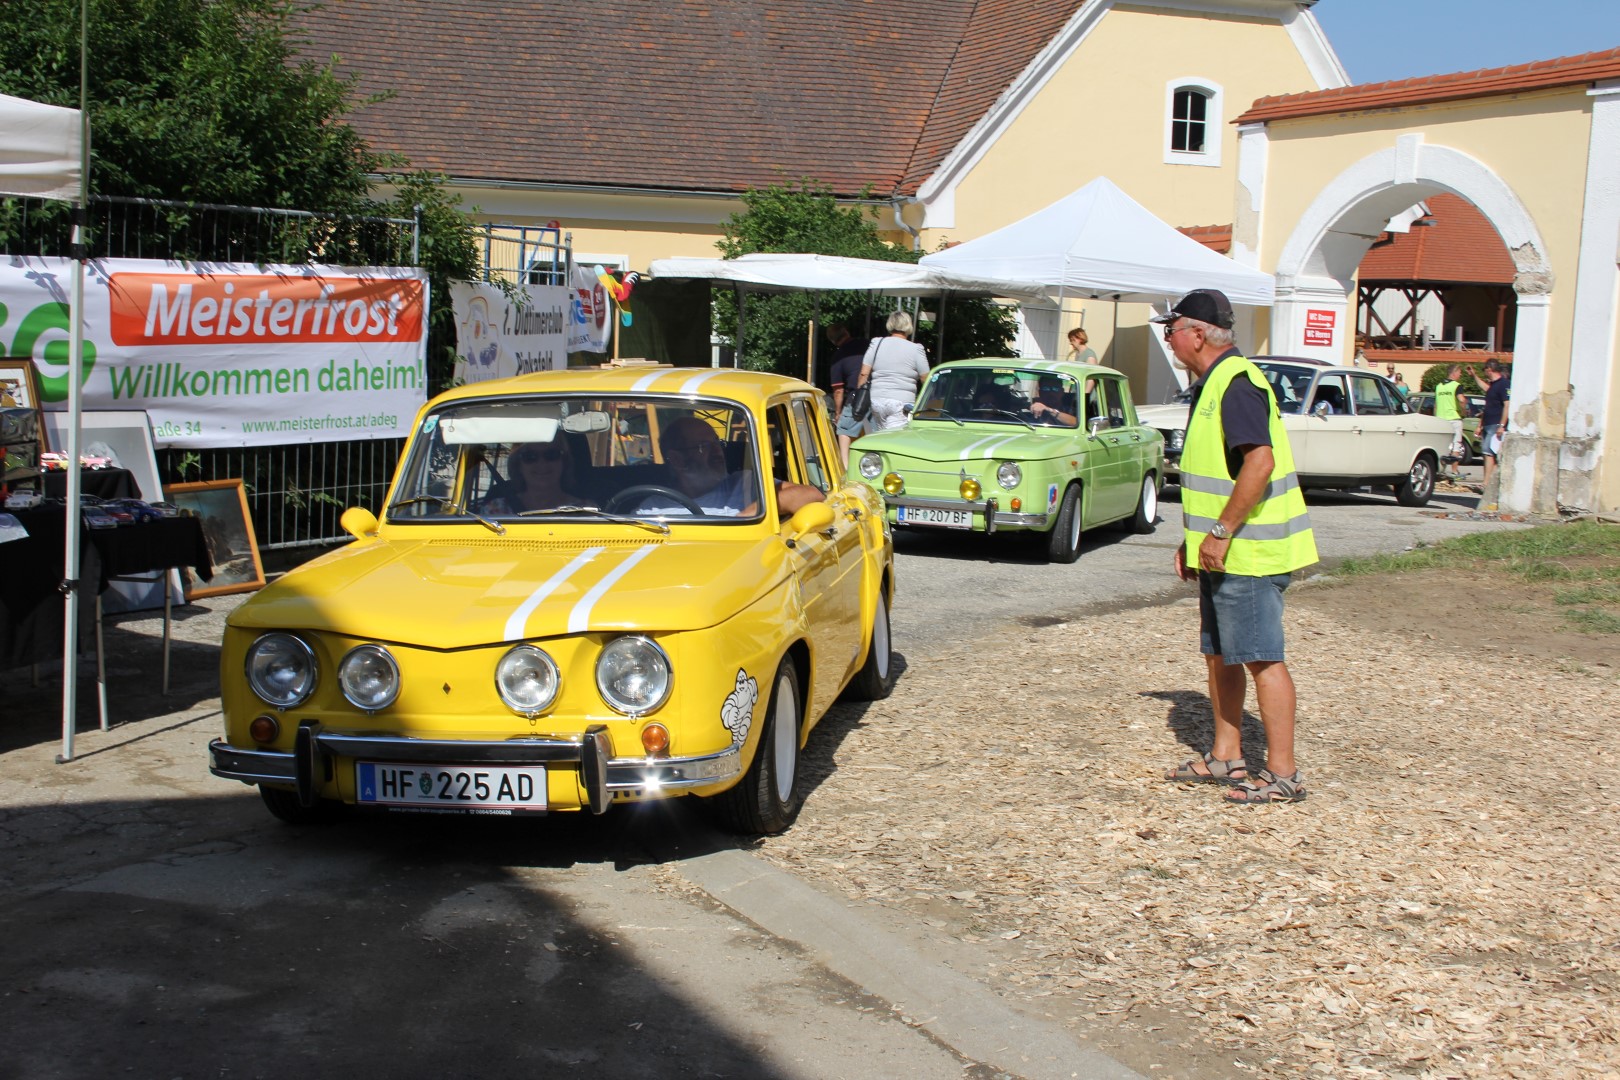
{"points": [[1462, 247]]}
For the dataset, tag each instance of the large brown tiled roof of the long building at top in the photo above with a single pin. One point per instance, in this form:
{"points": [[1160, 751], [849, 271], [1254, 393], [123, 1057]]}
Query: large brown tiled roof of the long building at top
{"points": [[684, 95]]}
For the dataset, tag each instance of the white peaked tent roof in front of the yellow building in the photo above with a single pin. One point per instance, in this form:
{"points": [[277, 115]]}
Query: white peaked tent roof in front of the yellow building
{"points": [[1102, 244]]}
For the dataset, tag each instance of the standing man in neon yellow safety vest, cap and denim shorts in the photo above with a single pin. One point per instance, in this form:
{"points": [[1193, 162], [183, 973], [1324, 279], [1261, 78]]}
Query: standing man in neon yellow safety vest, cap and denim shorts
{"points": [[1245, 532]]}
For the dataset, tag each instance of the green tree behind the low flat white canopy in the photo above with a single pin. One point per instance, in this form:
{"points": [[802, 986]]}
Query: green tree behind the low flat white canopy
{"points": [[804, 218]]}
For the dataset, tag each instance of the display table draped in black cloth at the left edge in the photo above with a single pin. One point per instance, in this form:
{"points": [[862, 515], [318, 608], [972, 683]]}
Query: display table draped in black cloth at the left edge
{"points": [[32, 608]]}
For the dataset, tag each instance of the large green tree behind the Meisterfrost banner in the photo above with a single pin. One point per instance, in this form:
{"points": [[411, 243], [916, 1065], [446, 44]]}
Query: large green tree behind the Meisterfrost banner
{"points": [[208, 101]]}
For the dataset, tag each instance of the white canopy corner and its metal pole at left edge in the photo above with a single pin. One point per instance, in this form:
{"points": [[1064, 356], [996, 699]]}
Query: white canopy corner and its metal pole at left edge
{"points": [[45, 153]]}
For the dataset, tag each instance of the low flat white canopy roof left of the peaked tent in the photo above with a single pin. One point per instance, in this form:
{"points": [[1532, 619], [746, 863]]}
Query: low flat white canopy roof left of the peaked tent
{"points": [[824, 273]]}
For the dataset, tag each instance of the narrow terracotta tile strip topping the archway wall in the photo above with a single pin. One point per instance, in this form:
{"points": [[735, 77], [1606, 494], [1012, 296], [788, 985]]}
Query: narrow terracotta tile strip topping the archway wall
{"points": [[1439, 88]]}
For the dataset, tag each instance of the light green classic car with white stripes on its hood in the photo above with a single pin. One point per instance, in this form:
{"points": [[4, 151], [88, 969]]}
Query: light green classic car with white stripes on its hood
{"points": [[1018, 446]]}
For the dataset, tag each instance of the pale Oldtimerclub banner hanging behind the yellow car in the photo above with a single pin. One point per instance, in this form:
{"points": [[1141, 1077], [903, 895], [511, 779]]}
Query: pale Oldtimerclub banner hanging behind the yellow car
{"points": [[500, 338]]}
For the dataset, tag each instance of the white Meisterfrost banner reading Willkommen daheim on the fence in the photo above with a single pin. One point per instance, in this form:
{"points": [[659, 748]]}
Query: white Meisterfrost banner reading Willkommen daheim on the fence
{"points": [[226, 354]]}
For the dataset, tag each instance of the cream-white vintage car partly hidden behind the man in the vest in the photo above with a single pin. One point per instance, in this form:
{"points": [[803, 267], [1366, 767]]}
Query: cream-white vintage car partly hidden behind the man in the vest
{"points": [[1349, 428]]}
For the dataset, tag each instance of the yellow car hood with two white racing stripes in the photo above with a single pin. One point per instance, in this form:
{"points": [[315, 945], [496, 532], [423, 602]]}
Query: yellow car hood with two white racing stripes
{"points": [[456, 593]]}
